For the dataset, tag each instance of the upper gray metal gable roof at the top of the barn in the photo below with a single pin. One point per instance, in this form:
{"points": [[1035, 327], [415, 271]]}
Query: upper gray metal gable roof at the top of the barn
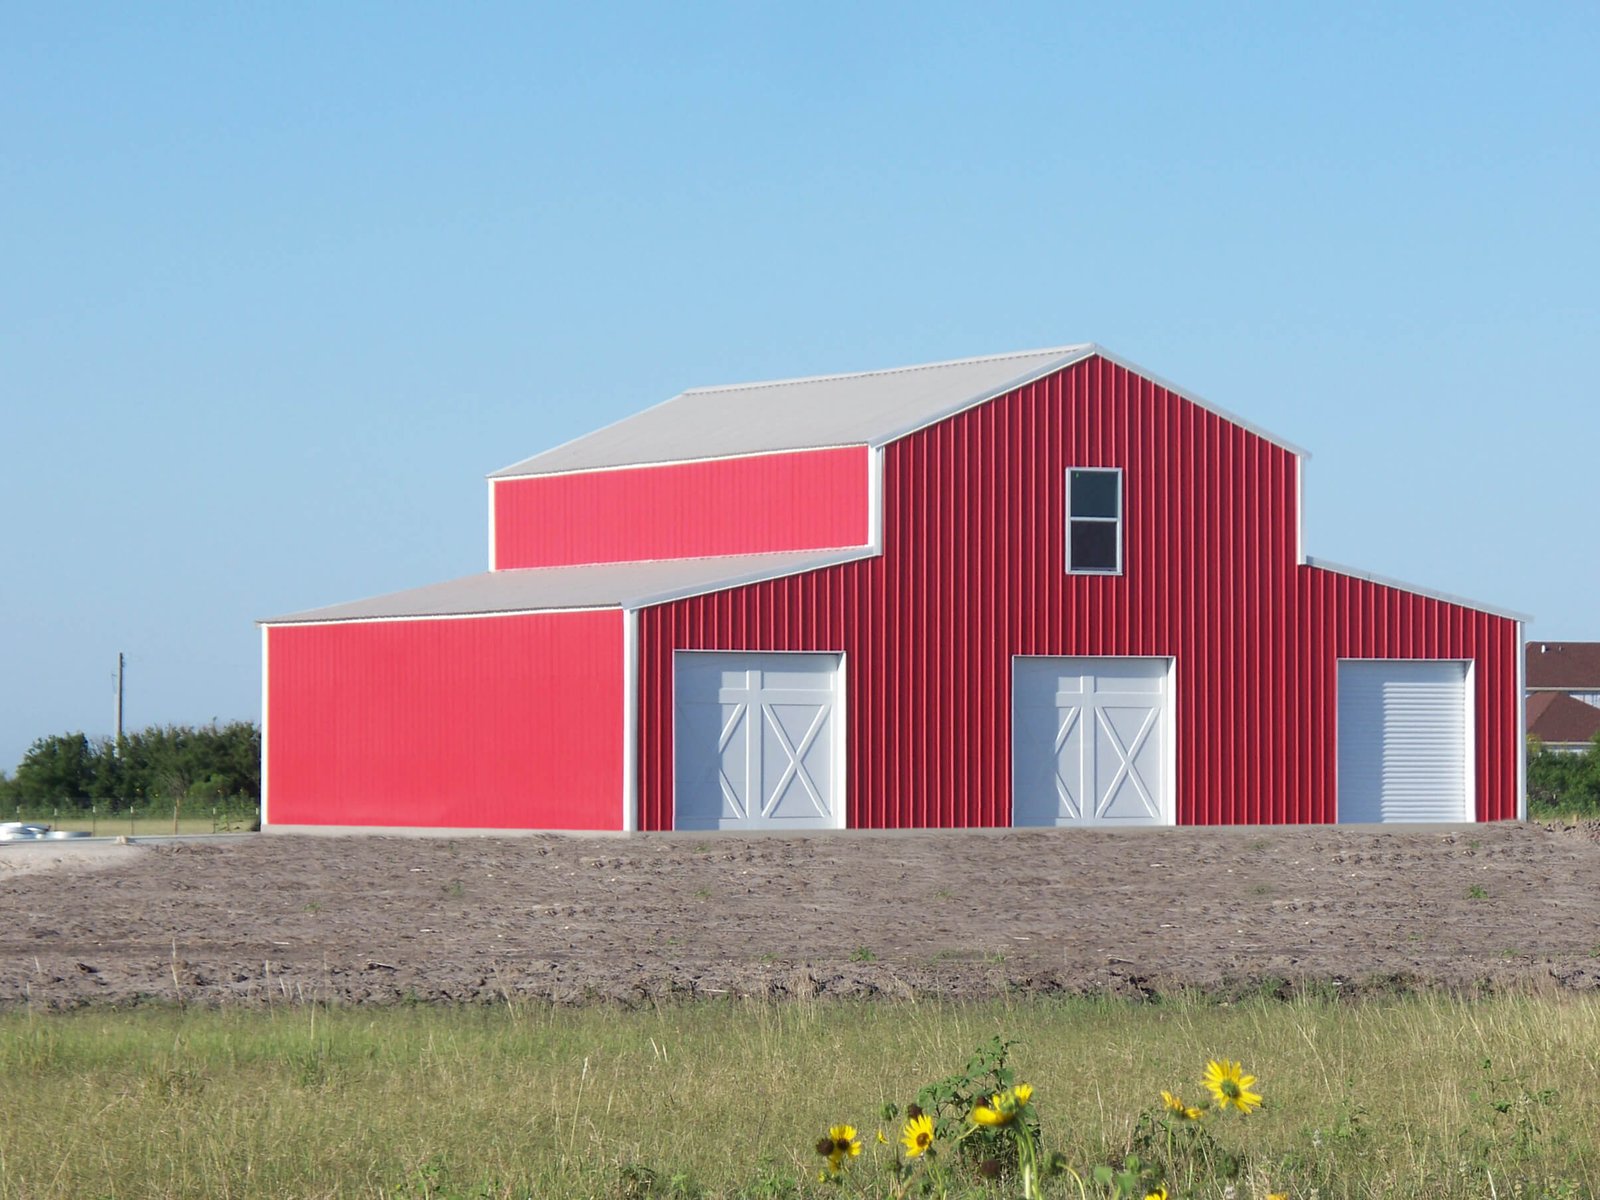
{"points": [[833, 410]]}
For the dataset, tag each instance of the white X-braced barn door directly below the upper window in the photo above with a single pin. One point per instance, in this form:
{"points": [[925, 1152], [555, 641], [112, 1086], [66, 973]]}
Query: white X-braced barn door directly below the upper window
{"points": [[1092, 742]]}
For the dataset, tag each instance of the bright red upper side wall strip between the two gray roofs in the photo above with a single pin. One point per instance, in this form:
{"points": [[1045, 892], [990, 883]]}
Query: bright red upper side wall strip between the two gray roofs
{"points": [[810, 500]]}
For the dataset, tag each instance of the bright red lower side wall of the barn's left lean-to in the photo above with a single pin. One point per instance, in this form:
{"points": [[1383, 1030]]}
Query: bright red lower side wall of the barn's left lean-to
{"points": [[510, 722]]}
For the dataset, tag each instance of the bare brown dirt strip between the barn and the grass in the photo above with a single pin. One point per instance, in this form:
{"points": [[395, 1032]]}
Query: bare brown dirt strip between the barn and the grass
{"points": [[279, 919]]}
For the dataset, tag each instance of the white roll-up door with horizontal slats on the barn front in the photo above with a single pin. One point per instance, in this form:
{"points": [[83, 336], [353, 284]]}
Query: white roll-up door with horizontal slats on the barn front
{"points": [[1404, 737]]}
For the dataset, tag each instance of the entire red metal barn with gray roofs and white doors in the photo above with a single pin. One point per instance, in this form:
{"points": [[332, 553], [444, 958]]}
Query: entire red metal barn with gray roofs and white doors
{"points": [[1036, 590]]}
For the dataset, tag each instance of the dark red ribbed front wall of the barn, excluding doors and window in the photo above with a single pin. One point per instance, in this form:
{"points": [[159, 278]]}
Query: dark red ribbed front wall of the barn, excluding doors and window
{"points": [[974, 574]]}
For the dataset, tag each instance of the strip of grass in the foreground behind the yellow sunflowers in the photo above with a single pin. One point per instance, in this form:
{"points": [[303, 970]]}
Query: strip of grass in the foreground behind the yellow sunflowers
{"points": [[1406, 1098]]}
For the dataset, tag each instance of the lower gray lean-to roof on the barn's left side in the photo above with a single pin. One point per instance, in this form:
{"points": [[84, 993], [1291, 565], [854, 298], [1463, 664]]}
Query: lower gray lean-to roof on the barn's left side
{"points": [[590, 586]]}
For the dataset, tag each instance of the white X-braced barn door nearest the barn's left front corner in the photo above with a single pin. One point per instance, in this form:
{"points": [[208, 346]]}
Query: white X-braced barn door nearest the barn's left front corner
{"points": [[758, 742]]}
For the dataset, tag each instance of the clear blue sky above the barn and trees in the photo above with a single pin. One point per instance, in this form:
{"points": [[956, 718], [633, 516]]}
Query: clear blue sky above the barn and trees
{"points": [[281, 284]]}
